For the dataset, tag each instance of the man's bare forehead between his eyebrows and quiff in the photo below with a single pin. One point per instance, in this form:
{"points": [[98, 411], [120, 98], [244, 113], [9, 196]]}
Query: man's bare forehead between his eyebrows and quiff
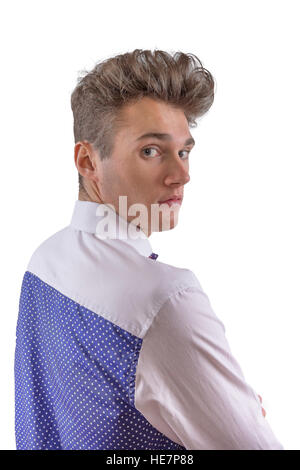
{"points": [[149, 114]]}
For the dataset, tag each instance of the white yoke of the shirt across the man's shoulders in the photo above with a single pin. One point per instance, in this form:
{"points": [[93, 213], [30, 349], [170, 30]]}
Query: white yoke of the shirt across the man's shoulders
{"points": [[108, 277]]}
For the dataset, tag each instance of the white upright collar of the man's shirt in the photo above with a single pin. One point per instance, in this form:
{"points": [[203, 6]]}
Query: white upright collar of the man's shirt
{"points": [[87, 217]]}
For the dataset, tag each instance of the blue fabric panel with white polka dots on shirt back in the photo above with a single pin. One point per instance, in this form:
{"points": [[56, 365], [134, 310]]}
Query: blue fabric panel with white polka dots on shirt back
{"points": [[75, 378]]}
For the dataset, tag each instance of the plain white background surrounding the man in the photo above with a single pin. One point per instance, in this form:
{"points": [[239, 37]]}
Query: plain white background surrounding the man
{"points": [[239, 222]]}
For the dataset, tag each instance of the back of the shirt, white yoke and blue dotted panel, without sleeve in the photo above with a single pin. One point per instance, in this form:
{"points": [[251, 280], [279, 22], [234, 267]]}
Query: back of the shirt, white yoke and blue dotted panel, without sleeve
{"points": [[85, 305]]}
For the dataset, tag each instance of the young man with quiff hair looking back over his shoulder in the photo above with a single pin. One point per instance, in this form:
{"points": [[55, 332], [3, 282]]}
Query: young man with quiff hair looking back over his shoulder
{"points": [[114, 349]]}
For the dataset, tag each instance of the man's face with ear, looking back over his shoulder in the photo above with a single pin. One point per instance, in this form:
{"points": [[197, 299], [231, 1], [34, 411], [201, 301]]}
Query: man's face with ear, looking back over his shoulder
{"points": [[147, 170]]}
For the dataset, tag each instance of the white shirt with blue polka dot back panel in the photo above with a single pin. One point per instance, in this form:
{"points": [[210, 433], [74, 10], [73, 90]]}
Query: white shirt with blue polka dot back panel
{"points": [[117, 350]]}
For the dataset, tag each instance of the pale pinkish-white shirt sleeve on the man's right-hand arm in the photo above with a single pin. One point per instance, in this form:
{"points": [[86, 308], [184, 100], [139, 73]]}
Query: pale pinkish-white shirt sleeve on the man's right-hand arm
{"points": [[191, 388]]}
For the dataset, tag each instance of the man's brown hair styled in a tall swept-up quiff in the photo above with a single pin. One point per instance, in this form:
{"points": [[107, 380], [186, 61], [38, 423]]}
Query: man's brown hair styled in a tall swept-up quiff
{"points": [[178, 79]]}
